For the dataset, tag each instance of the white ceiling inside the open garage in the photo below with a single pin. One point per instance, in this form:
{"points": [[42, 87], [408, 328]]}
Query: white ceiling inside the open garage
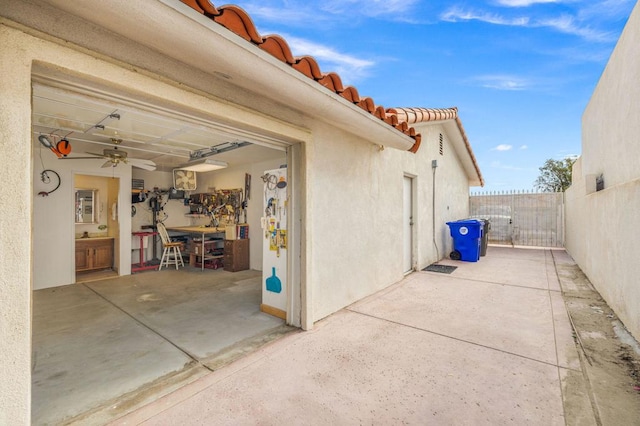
{"points": [[91, 123]]}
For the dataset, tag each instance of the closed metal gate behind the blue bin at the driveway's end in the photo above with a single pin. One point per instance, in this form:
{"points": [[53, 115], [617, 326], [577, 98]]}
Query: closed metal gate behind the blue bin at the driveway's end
{"points": [[522, 218]]}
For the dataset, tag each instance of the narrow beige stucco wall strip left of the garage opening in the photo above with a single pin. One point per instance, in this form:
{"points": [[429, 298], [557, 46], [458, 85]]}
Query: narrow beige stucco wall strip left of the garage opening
{"points": [[15, 231]]}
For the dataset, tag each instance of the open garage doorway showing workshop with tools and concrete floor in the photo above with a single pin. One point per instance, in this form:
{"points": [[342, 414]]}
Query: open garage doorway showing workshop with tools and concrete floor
{"points": [[110, 323]]}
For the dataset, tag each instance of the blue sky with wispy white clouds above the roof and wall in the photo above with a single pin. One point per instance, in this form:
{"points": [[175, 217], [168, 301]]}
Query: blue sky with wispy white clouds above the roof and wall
{"points": [[521, 72]]}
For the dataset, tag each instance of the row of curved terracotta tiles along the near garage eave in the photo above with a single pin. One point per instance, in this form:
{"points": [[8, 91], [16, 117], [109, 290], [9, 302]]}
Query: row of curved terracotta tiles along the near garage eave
{"points": [[238, 21]]}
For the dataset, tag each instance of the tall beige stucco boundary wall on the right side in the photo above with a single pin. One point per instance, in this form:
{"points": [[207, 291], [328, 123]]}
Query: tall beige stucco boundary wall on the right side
{"points": [[602, 227]]}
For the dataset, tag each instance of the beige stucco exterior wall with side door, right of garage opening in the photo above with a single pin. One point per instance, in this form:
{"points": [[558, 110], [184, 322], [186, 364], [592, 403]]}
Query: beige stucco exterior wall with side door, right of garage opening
{"points": [[356, 195]]}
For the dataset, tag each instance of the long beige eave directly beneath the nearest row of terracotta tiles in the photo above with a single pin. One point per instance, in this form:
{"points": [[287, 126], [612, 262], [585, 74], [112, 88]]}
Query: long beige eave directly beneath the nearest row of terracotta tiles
{"points": [[197, 41]]}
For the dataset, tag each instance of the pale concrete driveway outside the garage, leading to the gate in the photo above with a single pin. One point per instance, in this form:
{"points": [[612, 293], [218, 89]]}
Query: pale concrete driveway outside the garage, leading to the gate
{"points": [[490, 343]]}
